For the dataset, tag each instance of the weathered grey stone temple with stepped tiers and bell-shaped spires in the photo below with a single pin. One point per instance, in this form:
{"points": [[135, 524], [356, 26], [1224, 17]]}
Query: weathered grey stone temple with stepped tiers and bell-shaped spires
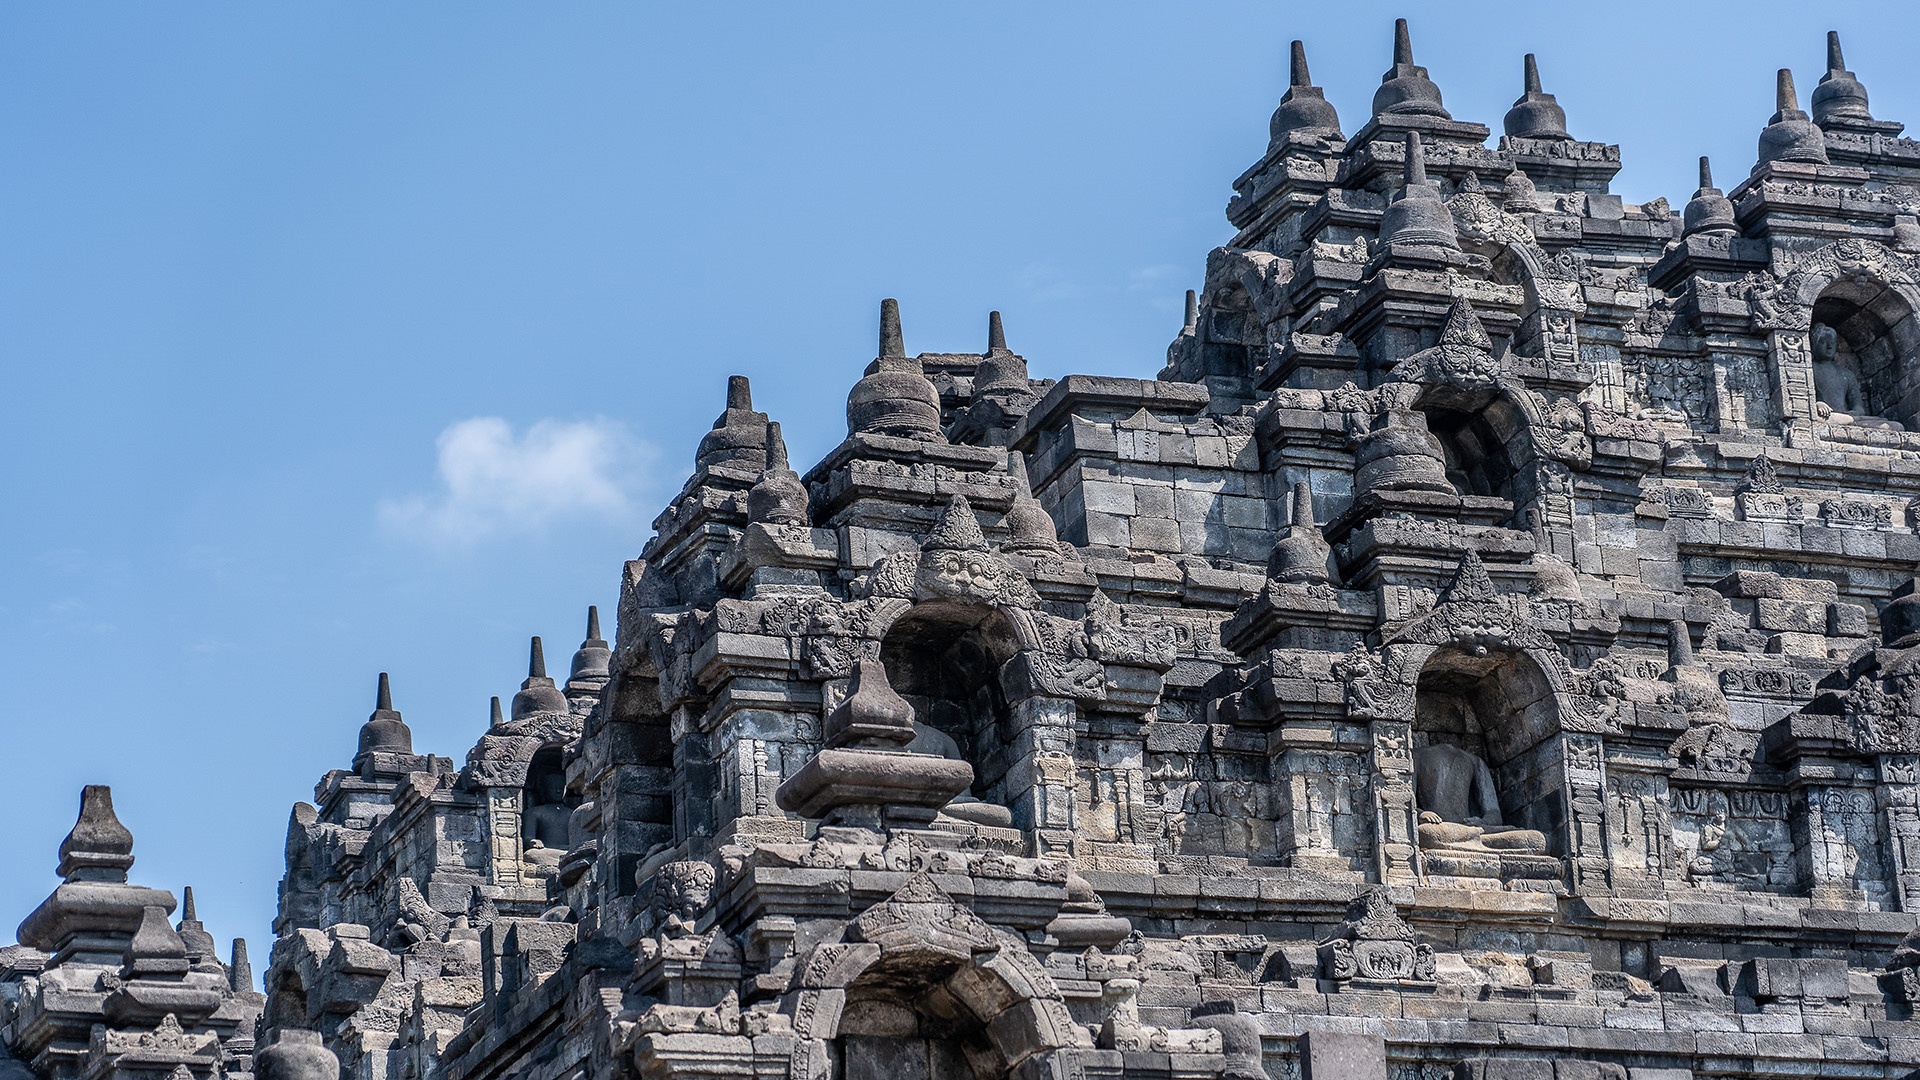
{"points": [[1489, 650]]}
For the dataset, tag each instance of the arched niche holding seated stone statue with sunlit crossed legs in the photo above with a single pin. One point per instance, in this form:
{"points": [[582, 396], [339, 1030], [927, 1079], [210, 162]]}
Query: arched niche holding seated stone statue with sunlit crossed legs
{"points": [[1485, 768]]}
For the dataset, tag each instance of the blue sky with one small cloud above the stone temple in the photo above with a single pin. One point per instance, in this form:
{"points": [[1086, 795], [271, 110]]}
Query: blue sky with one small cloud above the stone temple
{"points": [[358, 337]]}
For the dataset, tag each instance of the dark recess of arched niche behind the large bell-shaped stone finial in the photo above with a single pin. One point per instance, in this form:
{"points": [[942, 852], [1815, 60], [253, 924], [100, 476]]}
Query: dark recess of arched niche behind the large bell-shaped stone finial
{"points": [[946, 658]]}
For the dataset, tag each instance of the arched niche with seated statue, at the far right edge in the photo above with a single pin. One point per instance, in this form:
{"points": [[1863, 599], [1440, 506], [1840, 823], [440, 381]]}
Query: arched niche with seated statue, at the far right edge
{"points": [[1863, 345]]}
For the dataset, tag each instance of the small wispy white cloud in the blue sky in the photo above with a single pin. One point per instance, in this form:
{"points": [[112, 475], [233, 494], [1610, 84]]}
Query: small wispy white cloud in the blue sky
{"points": [[494, 481]]}
